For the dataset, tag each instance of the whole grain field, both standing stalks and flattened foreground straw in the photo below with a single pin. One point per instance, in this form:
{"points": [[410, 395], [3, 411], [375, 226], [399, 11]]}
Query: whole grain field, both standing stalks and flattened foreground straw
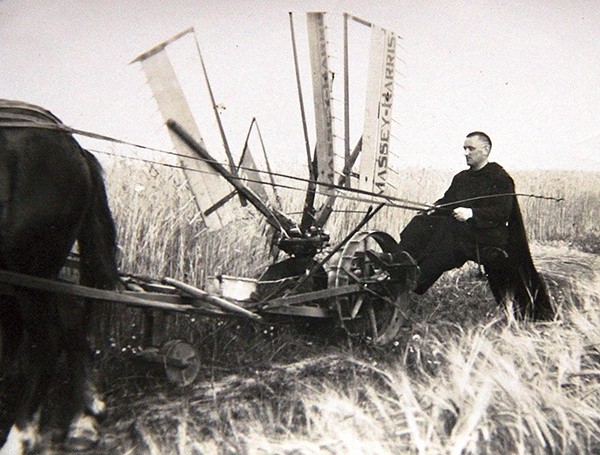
{"points": [[464, 377]]}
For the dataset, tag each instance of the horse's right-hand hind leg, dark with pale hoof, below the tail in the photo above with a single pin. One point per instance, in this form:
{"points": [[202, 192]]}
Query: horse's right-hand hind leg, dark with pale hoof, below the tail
{"points": [[87, 405]]}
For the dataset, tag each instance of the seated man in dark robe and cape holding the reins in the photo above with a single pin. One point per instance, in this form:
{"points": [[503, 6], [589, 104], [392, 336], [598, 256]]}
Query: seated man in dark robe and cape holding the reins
{"points": [[479, 219]]}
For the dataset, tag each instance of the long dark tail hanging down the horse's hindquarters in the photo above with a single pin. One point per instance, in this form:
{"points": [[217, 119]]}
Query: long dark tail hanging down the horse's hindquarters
{"points": [[97, 237]]}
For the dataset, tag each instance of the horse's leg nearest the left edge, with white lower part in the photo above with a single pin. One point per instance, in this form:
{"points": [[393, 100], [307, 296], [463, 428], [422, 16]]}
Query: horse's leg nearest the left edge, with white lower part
{"points": [[41, 352]]}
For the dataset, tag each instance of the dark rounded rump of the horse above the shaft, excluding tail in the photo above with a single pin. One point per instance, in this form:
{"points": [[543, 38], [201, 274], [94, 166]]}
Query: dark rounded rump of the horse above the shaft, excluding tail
{"points": [[46, 188]]}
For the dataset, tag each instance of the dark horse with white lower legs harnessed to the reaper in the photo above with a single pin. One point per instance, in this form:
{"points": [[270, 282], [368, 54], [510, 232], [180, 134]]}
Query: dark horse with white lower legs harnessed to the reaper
{"points": [[52, 194]]}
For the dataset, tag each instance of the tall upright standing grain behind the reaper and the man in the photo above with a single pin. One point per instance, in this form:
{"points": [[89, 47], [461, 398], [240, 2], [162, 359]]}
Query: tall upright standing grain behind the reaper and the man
{"points": [[161, 232]]}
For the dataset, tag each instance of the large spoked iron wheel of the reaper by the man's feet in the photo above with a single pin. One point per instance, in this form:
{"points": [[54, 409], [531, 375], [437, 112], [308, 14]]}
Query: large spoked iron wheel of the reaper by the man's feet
{"points": [[378, 313]]}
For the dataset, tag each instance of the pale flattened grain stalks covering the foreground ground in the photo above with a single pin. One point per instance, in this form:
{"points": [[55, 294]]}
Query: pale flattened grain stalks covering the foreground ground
{"points": [[485, 384]]}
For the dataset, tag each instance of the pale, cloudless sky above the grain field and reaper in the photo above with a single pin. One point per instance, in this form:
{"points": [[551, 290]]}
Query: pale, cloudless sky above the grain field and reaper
{"points": [[525, 72]]}
